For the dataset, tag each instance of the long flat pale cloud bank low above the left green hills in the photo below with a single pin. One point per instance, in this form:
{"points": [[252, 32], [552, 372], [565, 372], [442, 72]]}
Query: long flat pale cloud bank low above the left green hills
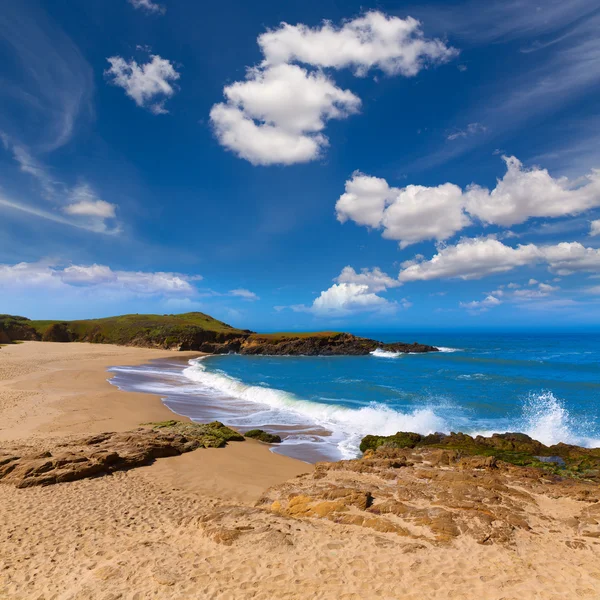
{"points": [[96, 279]]}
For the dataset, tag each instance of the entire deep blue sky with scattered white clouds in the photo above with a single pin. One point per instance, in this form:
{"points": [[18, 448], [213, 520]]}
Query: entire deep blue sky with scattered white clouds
{"points": [[302, 165]]}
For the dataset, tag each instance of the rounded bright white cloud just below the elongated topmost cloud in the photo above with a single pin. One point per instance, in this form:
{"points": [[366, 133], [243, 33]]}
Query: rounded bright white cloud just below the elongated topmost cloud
{"points": [[277, 114]]}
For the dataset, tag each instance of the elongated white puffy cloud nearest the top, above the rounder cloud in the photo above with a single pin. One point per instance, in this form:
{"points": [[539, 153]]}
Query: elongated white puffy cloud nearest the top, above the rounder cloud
{"points": [[393, 45]]}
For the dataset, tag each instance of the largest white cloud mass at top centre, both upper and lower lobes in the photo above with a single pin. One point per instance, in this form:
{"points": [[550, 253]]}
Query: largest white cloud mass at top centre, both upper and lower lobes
{"points": [[278, 114]]}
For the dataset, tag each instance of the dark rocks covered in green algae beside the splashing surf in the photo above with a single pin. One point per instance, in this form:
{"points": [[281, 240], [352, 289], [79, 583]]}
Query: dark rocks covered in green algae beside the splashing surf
{"points": [[514, 448]]}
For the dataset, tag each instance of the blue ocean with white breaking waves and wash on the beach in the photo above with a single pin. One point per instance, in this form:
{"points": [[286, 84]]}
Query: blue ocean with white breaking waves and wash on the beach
{"points": [[545, 385]]}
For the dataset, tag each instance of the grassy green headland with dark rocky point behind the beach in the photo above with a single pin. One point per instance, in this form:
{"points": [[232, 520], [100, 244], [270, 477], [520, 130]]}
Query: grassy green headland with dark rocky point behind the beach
{"points": [[196, 332]]}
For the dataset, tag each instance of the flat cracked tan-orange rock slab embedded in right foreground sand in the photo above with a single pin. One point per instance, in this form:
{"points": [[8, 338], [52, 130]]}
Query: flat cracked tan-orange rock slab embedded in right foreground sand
{"points": [[434, 496]]}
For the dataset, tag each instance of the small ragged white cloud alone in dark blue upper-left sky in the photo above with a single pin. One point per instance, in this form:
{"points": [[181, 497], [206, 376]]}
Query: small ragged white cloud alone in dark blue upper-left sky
{"points": [[148, 84]]}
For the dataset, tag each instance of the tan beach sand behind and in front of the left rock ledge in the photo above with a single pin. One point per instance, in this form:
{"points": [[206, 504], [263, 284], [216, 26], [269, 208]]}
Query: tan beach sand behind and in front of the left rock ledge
{"points": [[157, 532]]}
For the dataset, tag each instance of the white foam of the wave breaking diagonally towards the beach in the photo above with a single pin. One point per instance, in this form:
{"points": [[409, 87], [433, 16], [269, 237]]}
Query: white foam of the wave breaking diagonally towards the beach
{"points": [[348, 425]]}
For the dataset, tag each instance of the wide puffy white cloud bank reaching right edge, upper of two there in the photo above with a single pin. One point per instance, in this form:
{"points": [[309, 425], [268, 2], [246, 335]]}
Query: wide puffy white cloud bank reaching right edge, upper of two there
{"points": [[416, 213]]}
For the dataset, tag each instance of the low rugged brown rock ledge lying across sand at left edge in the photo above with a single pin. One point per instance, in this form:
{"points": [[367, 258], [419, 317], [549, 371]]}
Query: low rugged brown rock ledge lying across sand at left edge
{"points": [[108, 452]]}
